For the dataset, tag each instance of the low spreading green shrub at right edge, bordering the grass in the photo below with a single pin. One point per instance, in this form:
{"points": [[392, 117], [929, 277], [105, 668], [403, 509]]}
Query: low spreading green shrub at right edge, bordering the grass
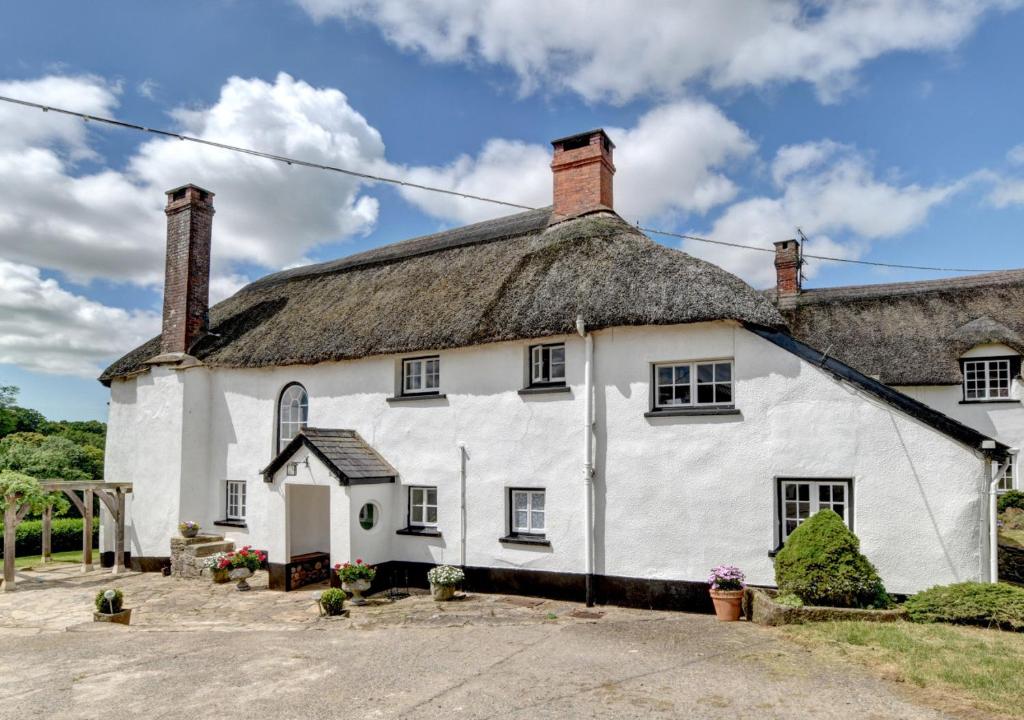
{"points": [[988, 605]]}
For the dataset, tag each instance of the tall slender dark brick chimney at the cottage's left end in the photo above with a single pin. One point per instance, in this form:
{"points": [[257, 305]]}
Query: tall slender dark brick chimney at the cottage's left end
{"points": [[187, 284]]}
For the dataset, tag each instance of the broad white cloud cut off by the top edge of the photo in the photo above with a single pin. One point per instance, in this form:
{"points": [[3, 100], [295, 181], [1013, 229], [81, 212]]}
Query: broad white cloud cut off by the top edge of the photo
{"points": [[620, 50]]}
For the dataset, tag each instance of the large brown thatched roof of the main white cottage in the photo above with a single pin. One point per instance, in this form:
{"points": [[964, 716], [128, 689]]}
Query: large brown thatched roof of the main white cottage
{"points": [[509, 279]]}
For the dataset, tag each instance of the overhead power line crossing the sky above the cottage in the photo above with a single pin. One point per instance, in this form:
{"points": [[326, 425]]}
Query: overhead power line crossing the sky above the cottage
{"points": [[430, 189]]}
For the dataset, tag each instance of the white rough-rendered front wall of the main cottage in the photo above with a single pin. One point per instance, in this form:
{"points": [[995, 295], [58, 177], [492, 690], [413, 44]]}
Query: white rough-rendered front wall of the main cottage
{"points": [[674, 496]]}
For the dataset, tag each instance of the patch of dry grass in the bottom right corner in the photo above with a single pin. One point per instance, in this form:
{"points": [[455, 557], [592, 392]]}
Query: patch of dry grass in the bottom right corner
{"points": [[980, 668]]}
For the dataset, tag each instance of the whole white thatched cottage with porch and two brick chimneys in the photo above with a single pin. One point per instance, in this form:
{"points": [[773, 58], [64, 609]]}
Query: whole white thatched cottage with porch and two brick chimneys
{"points": [[550, 400]]}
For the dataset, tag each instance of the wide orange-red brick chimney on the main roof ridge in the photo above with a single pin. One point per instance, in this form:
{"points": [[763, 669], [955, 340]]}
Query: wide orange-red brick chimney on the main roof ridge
{"points": [[582, 167]]}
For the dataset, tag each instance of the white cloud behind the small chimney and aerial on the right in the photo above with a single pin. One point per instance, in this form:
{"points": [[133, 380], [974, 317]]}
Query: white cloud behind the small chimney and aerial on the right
{"points": [[833, 194]]}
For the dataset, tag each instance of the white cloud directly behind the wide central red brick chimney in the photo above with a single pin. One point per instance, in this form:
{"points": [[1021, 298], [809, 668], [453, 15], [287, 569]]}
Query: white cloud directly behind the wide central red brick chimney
{"points": [[671, 161]]}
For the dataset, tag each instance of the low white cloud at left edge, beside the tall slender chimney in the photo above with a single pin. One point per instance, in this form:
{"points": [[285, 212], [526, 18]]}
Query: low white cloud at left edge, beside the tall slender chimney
{"points": [[48, 329]]}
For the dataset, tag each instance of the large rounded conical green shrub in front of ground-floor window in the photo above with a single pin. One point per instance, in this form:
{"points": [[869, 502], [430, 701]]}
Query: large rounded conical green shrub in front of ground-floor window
{"points": [[822, 565]]}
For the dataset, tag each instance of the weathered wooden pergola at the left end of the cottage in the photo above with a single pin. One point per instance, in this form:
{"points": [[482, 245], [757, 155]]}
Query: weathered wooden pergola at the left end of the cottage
{"points": [[111, 494]]}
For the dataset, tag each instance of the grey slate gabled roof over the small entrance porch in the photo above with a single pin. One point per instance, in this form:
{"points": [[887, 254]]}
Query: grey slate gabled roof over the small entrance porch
{"points": [[345, 453]]}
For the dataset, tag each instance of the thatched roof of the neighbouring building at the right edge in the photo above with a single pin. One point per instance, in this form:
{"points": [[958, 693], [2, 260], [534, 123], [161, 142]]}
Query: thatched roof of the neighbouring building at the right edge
{"points": [[913, 333]]}
